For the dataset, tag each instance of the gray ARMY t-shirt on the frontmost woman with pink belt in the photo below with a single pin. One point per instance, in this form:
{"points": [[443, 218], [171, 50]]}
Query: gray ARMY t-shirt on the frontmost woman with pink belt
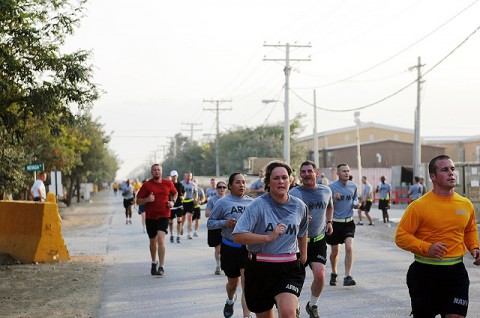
{"points": [[264, 214]]}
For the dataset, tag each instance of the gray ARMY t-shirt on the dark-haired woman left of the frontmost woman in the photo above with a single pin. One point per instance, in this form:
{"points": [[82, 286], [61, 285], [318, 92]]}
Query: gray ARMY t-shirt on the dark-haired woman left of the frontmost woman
{"points": [[228, 207]]}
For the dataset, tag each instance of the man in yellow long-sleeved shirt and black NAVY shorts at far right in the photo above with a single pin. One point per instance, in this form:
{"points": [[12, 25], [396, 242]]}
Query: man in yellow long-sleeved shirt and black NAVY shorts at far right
{"points": [[438, 228]]}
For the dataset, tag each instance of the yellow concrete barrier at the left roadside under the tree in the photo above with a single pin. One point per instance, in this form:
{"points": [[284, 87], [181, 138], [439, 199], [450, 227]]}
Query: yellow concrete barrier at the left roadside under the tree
{"points": [[31, 231]]}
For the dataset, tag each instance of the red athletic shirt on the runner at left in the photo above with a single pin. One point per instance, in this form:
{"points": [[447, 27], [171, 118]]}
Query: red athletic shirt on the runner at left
{"points": [[162, 191]]}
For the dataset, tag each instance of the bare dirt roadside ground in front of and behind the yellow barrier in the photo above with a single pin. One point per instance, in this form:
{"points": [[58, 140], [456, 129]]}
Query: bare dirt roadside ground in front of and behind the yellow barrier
{"points": [[61, 289]]}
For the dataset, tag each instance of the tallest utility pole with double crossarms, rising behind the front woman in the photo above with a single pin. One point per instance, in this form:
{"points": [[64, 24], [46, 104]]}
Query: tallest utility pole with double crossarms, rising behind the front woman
{"points": [[287, 70]]}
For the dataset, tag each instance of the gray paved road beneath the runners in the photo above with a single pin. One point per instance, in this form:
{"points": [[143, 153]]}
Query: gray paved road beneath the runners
{"points": [[190, 289]]}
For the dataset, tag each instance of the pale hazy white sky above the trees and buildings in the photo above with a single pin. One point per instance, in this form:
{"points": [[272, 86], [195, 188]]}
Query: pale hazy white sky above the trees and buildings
{"points": [[158, 60]]}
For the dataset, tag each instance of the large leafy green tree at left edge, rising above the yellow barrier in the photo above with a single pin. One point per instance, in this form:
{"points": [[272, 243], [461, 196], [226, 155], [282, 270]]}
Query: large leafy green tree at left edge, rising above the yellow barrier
{"points": [[37, 81]]}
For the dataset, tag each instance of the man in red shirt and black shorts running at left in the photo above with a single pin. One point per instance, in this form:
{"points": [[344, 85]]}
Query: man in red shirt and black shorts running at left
{"points": [[159, 196]]}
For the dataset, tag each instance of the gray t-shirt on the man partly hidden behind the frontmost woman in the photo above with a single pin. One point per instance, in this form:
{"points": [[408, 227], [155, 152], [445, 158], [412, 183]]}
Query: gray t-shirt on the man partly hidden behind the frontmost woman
{"points": [[317, 200]]}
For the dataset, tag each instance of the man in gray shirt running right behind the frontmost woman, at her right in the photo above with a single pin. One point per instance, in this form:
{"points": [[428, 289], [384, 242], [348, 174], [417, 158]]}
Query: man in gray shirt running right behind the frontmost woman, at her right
{"points": [[318, 198]]}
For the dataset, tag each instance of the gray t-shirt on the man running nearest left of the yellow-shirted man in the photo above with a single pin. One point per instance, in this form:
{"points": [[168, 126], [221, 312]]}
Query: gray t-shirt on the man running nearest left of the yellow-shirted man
{"points": [[343, 208]]}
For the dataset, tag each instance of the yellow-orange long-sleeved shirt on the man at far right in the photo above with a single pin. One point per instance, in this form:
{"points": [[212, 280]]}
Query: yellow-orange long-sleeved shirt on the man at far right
{"points": [[432, 218]]}
